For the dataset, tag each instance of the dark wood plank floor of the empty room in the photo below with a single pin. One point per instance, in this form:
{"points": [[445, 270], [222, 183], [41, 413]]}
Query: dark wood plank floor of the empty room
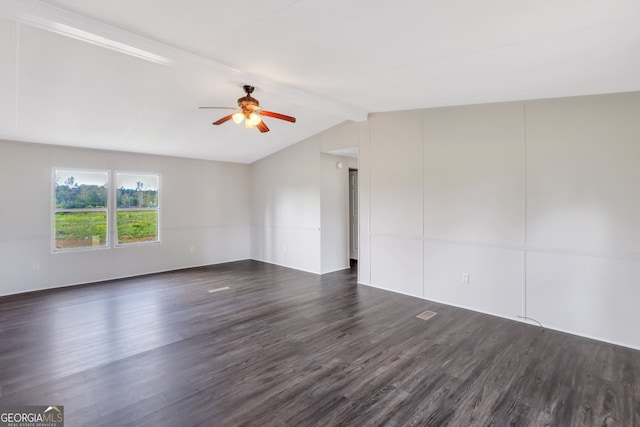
{"points": [[283, 347]]}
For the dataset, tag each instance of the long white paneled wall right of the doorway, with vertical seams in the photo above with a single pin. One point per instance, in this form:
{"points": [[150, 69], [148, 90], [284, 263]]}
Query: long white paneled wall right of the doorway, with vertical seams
{"points": [[536, 201]]}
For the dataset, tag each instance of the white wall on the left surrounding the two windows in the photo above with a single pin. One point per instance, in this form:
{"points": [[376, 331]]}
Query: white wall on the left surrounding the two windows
{"points": [[204, 204]]}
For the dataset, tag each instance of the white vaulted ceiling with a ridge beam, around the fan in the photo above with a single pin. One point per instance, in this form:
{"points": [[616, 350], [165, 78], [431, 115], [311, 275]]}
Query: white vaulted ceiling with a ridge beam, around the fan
{"points": [[129, 75]]}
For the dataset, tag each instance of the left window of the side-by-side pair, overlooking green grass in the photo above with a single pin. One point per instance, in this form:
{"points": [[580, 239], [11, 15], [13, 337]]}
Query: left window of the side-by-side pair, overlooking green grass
{"points": [[81, 209]]}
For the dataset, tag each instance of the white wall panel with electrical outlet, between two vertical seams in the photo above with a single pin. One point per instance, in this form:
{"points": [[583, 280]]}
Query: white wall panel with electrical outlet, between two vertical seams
{"points": [[474, 197]]}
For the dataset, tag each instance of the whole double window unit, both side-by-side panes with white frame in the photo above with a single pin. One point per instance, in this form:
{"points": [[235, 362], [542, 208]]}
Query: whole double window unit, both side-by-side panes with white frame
{"points": [[86, 218]]}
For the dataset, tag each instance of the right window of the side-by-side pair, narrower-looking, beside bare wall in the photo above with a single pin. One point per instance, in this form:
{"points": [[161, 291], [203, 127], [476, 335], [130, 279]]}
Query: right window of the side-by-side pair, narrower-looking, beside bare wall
{"points": [[137, 208]]}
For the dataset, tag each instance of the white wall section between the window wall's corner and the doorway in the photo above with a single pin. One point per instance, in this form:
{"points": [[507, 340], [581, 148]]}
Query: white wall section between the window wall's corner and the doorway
{"points": [[300, 203]]}
